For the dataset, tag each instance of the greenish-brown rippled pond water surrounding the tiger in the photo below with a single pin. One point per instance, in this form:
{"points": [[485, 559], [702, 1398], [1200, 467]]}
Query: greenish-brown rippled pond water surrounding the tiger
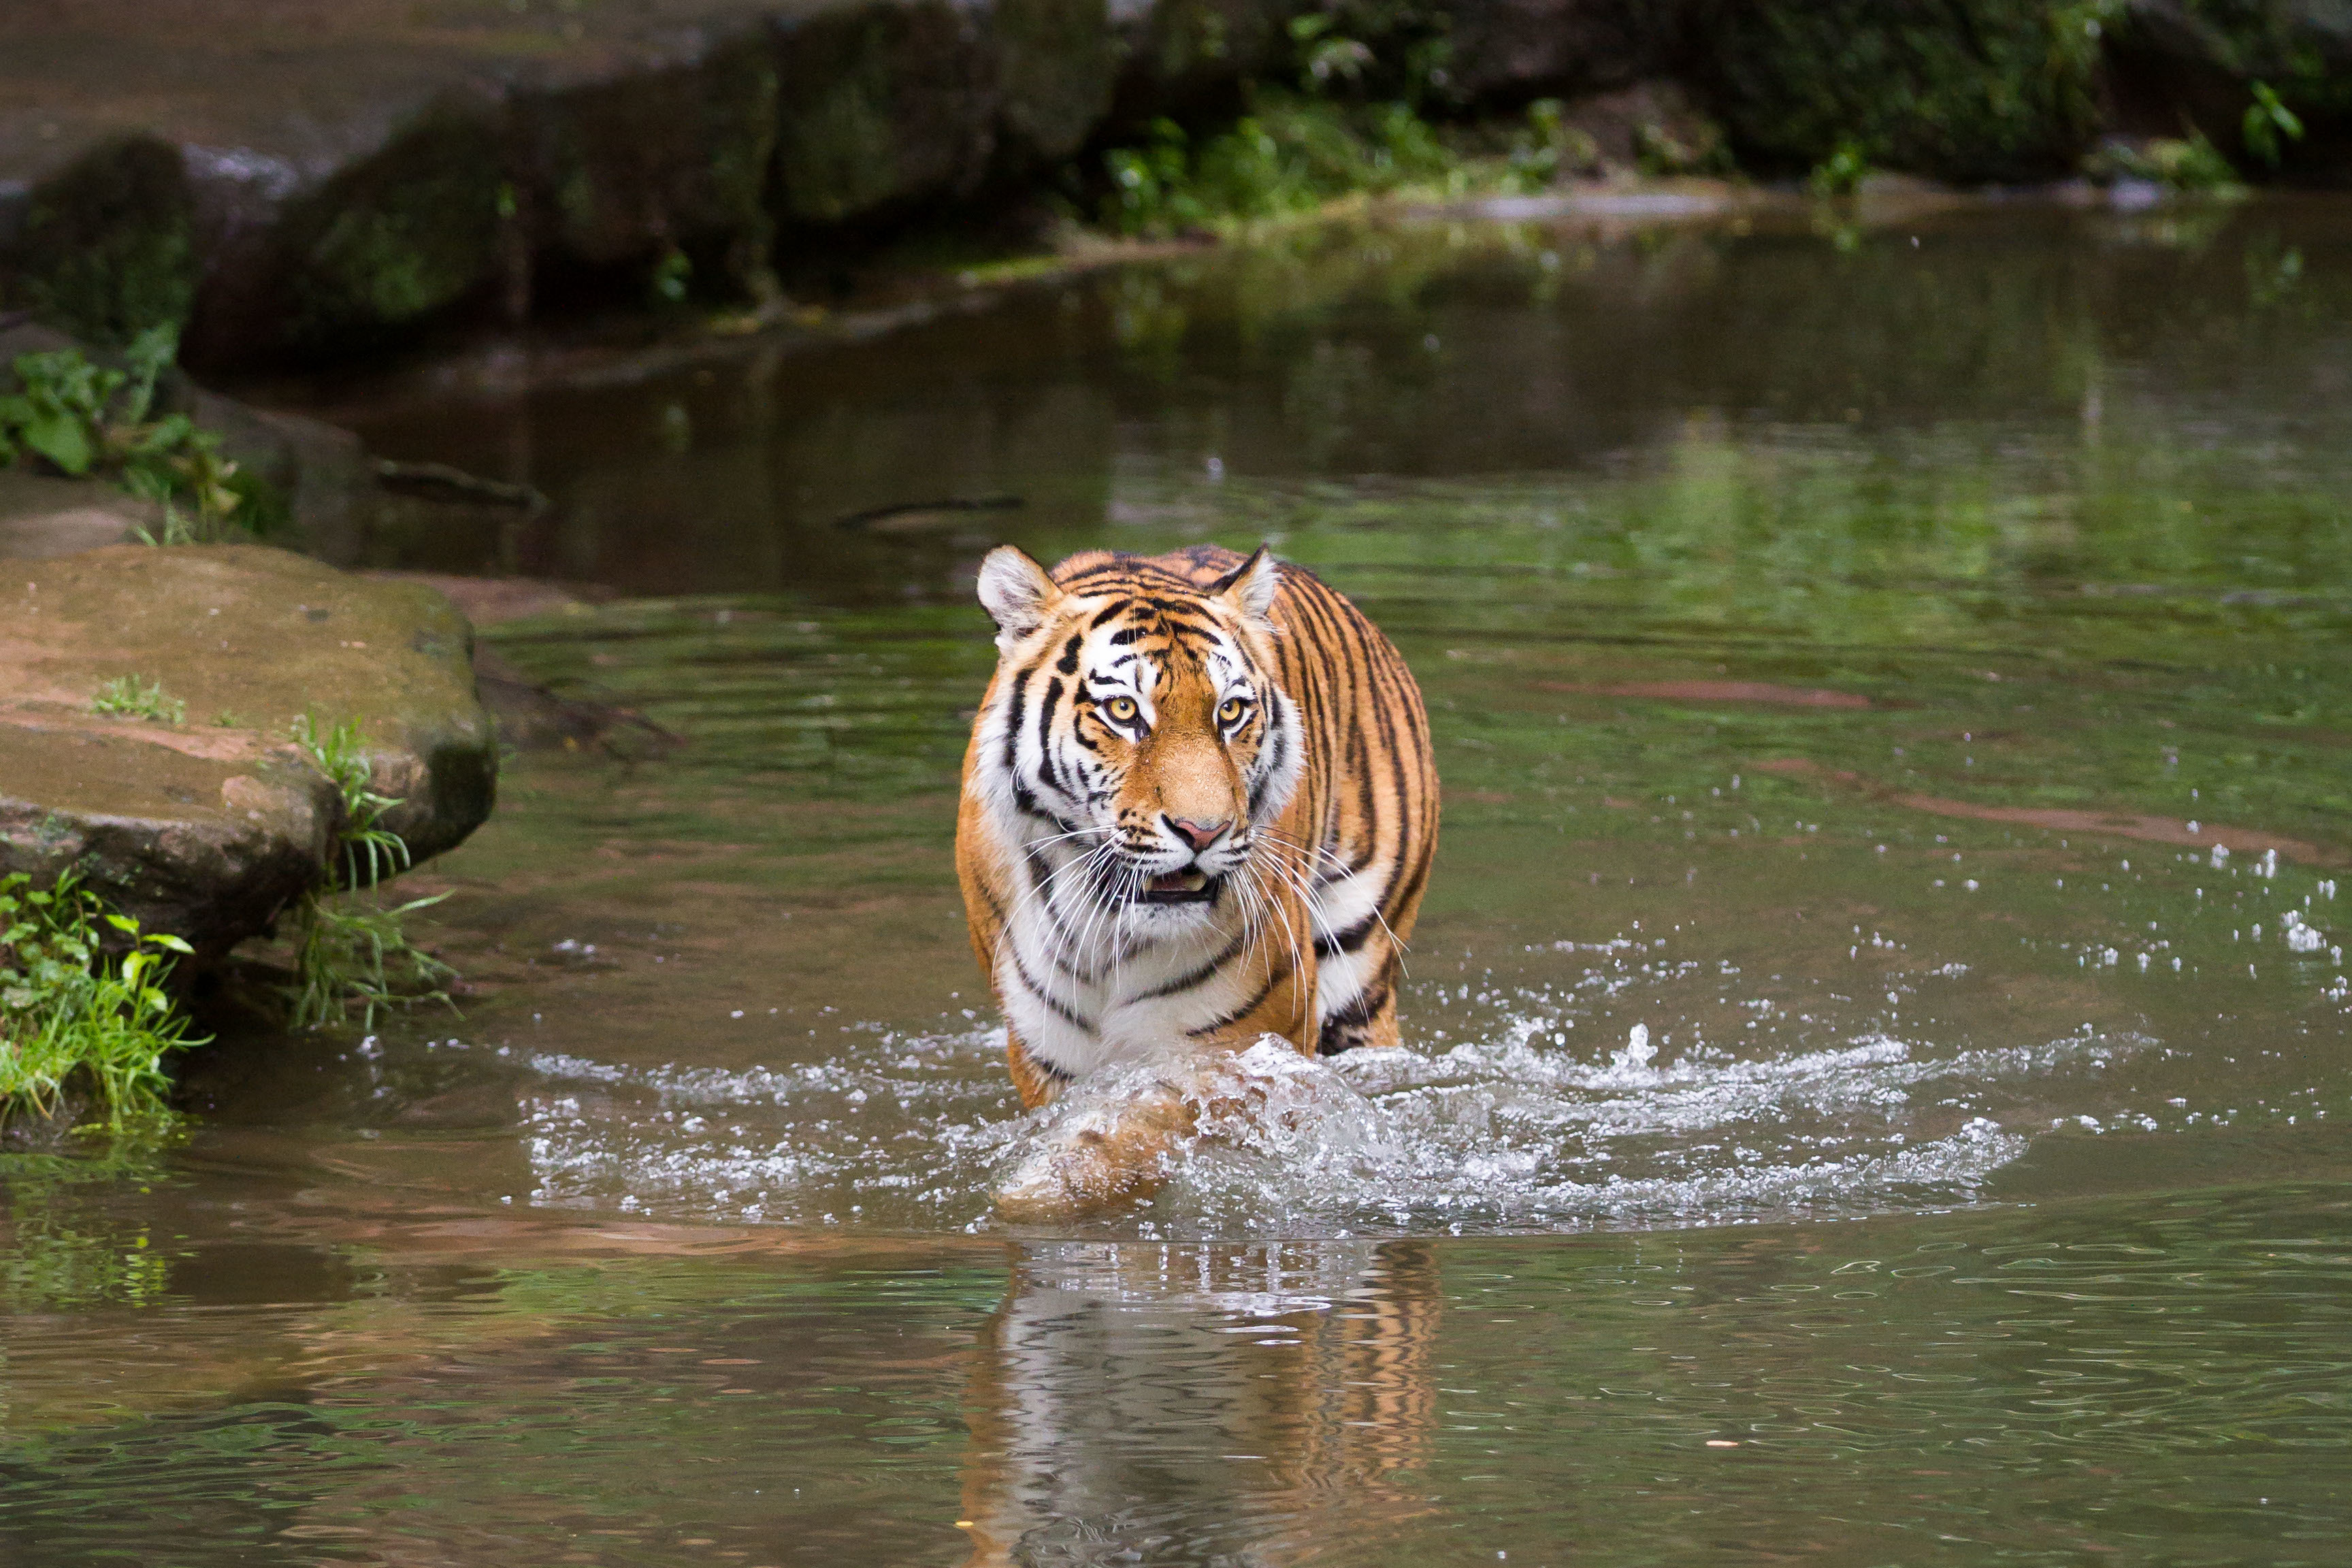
{"points": [[1878, 1045]]}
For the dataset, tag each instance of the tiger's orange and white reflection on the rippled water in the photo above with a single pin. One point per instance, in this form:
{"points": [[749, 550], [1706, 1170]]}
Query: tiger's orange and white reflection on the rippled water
{"points": [[1201, 1402]]}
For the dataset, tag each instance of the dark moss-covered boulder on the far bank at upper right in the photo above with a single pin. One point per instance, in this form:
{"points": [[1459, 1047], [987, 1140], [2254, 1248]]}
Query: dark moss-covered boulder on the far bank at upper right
{"points": [[1965, 91]]}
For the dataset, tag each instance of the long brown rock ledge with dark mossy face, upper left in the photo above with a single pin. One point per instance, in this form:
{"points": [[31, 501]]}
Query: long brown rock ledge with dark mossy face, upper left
{"points": [[305, 182]]}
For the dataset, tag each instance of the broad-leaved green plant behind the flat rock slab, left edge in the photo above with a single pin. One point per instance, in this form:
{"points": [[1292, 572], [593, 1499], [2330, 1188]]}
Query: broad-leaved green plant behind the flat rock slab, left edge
{"points": [[91, 420]]}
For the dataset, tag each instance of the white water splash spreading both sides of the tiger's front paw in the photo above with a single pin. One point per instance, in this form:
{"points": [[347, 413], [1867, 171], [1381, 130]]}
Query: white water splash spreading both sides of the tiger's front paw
{"points": [[1502, 1134]]}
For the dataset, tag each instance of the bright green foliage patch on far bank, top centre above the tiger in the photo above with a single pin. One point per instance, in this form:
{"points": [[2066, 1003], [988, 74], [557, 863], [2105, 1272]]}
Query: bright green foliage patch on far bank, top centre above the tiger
{"points": [[1285, 159]]}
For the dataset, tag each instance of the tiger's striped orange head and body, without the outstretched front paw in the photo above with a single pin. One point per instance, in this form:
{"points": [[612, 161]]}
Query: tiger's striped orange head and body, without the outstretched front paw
{"points": [[1189, 718]]}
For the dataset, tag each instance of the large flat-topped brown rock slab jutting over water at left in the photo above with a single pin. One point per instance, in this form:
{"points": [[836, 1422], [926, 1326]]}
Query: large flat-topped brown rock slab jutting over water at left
{"points": [[215, 824]]}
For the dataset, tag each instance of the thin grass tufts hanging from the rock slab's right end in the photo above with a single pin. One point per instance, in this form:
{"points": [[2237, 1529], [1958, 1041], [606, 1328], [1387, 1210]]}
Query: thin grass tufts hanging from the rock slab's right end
{"points": [[356, 953]]}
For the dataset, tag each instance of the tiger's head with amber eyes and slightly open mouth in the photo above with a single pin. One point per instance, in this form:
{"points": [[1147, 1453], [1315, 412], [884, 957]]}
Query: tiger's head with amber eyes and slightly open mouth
{"points": [[1137, 725]]}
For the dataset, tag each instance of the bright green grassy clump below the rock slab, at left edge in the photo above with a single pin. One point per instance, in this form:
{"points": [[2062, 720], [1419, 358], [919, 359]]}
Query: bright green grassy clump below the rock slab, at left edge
{"points": [[69, 1010]]}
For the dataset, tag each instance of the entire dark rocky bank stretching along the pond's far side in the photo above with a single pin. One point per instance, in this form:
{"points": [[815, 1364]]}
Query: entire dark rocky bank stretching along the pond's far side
{"points": [[305, 187]]}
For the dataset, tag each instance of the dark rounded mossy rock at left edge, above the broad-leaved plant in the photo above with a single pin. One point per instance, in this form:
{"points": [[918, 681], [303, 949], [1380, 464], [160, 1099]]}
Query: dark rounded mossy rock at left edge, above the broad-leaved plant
{"points": [[107, 246]]}
